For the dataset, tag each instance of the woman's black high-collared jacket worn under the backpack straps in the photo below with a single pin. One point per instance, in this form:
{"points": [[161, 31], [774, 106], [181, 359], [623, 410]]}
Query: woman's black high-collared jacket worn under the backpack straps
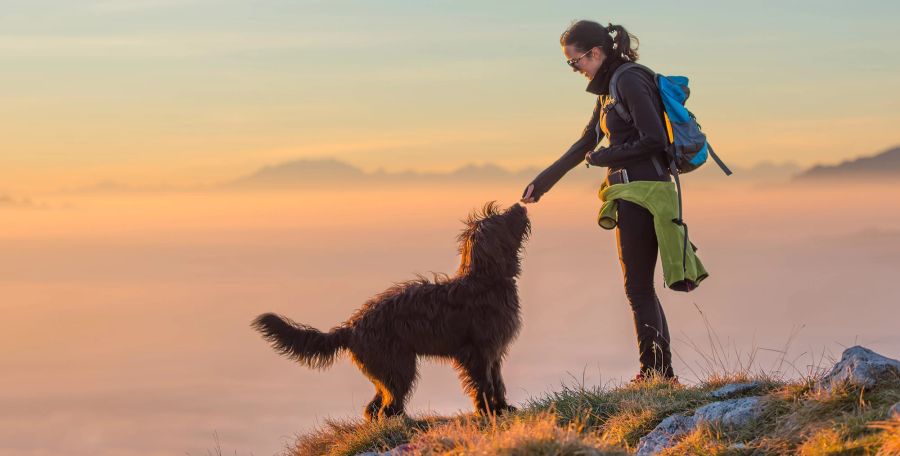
{"points": [[631, 145]]}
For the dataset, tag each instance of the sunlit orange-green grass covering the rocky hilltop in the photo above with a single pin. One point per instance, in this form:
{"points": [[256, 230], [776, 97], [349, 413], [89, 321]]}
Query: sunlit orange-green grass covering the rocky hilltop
{"points": [[797, 417]]}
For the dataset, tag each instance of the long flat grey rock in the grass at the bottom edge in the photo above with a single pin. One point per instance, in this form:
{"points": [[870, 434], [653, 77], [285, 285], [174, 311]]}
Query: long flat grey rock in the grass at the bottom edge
{"points": [[731, 413]]}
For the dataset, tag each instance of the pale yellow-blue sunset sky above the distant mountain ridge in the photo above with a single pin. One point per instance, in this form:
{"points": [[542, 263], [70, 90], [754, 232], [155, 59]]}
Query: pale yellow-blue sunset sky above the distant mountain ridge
{"points": [[192, 91]]}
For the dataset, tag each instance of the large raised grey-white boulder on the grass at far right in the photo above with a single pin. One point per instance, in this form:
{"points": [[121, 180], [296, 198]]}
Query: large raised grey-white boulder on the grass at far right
{"points": [[859, 366]]}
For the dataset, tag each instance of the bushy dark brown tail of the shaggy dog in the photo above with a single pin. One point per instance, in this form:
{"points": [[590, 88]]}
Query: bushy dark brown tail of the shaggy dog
{"points": [[300, 342]]}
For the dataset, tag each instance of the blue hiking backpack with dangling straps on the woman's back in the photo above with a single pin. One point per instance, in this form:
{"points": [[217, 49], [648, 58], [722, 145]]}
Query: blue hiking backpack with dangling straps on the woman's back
{"points": [[687, 148]]}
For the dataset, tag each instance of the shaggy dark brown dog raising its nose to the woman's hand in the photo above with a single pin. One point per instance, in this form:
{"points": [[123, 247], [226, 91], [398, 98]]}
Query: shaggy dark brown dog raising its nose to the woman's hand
{"points": [[469, 319]]}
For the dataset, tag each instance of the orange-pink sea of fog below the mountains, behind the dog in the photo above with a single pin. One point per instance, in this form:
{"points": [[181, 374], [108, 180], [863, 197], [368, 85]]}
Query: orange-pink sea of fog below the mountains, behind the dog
{"points": [[128, 315]]}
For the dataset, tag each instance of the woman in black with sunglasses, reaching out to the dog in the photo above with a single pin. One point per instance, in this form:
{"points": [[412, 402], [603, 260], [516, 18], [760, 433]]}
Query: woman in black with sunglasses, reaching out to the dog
{"points": [[638, 148]]}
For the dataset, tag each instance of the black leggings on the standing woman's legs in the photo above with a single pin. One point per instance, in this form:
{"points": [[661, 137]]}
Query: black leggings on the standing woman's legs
{"points": [[638, 250]]}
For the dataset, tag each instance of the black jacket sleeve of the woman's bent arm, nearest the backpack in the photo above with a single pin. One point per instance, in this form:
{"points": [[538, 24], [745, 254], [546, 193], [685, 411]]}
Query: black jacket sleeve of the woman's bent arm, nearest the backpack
{"points": [[639, 98]]}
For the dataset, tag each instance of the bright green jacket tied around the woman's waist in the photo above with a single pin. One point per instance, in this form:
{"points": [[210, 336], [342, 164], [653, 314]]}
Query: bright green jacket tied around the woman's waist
{"points": [[682, 268]]}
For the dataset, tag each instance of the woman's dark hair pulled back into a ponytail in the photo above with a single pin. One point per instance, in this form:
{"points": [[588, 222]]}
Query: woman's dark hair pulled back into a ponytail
{"points": [[585, 35]]}
